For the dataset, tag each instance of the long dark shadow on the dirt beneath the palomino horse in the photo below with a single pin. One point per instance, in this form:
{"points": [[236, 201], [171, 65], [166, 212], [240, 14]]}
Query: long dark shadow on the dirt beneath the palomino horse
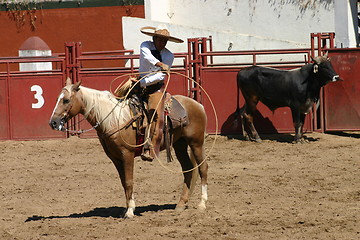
{"points": [[115, 212]]}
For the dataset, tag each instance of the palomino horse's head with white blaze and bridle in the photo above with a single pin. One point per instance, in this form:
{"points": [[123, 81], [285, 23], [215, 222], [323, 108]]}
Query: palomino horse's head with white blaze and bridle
{"points": [[68, 105]]}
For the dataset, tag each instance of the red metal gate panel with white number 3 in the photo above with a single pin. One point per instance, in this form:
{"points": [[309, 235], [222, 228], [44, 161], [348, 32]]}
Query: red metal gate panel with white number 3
{"points": [[27, 99]]}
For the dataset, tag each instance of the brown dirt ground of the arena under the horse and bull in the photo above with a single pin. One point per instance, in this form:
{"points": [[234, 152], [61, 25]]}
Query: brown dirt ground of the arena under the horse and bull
{"points": [[69, 189]]}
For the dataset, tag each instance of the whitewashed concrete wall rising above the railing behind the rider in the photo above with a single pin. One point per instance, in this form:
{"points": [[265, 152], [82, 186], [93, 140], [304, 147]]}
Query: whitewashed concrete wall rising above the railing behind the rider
{"points": [[246, 24]]}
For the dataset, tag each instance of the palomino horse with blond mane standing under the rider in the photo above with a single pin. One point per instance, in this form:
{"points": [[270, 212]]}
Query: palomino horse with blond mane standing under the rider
{"points": [[110, 117]]}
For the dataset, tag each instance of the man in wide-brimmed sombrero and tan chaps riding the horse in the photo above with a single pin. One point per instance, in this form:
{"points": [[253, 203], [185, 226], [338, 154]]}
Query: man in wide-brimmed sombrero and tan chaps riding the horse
{"points": [[155, 58]]}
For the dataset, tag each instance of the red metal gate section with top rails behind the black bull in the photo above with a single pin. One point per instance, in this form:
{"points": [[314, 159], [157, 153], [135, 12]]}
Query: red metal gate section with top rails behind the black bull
{"points": [[338, 108]]}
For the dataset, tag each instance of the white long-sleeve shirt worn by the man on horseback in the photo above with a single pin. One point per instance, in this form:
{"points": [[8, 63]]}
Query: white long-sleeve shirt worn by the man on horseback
{"points": [[148, 61]]}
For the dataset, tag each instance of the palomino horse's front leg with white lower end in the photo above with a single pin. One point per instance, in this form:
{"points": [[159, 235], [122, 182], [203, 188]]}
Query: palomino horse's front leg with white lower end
{"points": [[125, 169]]}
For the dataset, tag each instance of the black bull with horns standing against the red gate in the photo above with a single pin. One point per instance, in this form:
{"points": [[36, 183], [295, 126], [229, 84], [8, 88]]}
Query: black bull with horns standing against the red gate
{"points": [[298, 89]]}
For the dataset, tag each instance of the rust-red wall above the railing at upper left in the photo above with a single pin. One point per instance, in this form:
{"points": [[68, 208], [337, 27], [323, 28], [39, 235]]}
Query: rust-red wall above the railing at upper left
{"points": [[96, 24]]}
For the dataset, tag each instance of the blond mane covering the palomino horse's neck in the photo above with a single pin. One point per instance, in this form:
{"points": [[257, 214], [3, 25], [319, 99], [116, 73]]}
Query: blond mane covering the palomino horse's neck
{"points": [[105, 108]]}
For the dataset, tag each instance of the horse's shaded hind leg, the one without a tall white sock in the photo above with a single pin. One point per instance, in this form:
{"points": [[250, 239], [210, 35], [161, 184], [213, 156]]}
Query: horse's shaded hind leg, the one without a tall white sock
{"points": [[182, 155]]}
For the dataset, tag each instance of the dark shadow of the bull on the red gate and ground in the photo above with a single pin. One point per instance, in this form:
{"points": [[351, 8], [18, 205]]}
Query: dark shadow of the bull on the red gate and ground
{"points": [[265, 127]]}
